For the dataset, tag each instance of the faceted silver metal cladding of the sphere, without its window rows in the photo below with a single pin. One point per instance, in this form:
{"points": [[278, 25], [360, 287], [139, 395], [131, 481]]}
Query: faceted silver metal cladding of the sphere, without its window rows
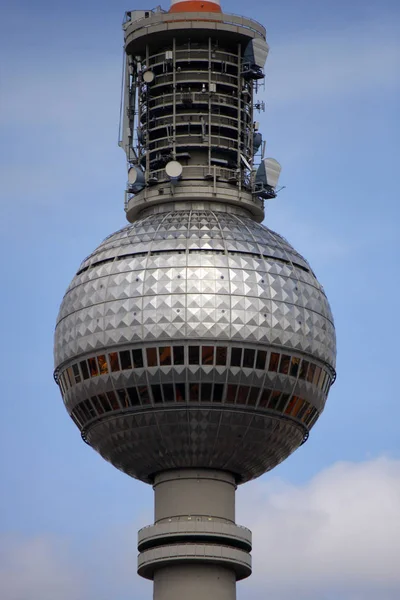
{"points": [[194, 275]]}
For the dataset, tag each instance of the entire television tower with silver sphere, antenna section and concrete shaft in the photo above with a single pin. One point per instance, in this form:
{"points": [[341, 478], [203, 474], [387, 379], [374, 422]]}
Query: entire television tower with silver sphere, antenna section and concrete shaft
{"points": [[194, 348]]}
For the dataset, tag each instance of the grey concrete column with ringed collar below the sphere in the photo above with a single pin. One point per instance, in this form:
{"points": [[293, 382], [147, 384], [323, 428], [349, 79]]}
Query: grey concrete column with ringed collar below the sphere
{"points": [[194, 550]]}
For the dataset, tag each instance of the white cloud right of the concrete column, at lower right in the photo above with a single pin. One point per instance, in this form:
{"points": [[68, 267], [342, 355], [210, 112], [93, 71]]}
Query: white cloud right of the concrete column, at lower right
{"points": [[338, 534]]}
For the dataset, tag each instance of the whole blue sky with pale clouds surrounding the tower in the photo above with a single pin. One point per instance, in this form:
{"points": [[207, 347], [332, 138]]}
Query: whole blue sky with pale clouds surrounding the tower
{"points": [[68, 520]]}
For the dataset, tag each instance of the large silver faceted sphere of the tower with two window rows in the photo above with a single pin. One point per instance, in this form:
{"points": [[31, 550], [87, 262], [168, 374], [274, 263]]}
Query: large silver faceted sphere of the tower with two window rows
{"points": [[195, 338]]}
